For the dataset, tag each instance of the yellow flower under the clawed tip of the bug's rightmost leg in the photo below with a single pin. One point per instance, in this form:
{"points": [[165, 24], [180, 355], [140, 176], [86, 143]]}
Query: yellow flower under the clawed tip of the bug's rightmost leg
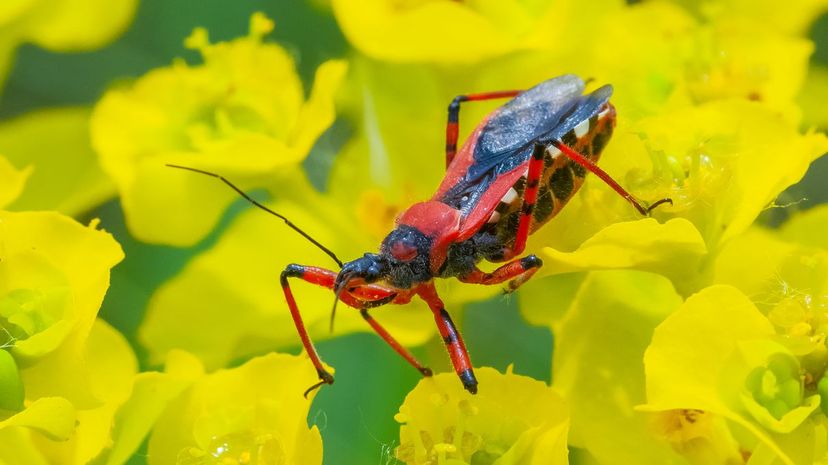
{"points": [[723, 171]]}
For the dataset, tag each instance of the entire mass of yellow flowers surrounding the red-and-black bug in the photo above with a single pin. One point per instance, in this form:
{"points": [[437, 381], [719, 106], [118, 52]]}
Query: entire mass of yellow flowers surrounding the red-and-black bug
{"points": [[696, 336]]}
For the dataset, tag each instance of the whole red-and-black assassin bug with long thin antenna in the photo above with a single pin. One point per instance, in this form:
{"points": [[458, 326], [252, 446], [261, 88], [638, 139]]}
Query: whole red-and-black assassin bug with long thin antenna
{"points": [[507, 180]]}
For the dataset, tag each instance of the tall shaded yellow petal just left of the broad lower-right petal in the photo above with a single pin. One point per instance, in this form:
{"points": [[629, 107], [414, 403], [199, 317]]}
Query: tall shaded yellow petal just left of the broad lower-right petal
{"points": [[597, 363]]}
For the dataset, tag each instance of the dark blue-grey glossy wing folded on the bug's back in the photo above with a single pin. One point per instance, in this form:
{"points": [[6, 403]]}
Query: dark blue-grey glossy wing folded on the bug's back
{"points": [[543, 113]]}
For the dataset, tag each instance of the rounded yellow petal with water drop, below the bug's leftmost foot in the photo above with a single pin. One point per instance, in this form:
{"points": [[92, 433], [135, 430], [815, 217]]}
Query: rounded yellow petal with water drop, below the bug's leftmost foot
{"points": [[255, 411]]}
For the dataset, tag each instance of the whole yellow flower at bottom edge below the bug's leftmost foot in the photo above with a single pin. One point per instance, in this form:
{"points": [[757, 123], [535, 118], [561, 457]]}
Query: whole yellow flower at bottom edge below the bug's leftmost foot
{"points": [[254, 413]]}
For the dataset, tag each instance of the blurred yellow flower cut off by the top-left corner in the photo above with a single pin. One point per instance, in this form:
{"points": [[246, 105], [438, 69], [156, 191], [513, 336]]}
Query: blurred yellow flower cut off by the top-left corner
{"points": [[60, 25]]}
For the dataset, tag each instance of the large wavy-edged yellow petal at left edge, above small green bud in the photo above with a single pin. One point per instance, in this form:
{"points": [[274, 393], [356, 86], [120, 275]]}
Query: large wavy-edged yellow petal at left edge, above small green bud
{"points": [[64, 267]]}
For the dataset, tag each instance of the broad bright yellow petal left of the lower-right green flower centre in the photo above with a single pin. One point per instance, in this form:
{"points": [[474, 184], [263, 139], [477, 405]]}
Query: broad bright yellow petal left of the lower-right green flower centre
{"points": [[696, 361]]}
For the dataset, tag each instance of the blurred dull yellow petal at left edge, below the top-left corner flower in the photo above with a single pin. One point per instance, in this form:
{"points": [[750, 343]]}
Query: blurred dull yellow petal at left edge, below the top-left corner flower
{"points": [[72, 183]]}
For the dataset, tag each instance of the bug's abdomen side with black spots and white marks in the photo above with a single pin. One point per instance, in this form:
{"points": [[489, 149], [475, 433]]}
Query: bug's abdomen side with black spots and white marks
{"points": [[560, 180]]}
